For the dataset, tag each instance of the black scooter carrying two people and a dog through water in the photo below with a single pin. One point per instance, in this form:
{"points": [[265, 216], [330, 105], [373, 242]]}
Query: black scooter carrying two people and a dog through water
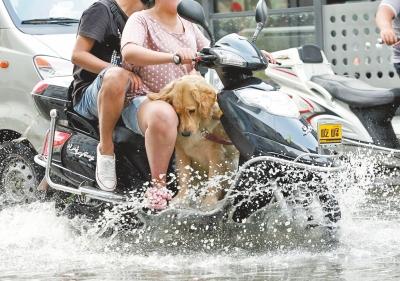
{"points": [[278, 148]]}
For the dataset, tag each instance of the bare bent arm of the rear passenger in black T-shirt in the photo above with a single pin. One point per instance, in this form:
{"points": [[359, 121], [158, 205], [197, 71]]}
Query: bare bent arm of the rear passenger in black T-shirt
{"points": [[81, 55]]}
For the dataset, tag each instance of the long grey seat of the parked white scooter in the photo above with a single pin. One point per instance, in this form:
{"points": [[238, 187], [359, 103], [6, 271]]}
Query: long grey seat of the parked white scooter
{"points": [[357, 93]]}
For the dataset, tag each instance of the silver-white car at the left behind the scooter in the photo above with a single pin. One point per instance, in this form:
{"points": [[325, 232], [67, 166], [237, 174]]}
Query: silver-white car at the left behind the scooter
{"points": [[36, 41]]}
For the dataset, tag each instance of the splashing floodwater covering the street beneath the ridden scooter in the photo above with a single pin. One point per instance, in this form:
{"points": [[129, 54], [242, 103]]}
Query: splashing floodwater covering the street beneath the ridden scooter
{"points": [[36, 244]]}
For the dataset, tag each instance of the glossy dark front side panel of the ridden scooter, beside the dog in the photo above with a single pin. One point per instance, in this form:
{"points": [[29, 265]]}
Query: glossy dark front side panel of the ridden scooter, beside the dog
{"points": [[257, 132]]}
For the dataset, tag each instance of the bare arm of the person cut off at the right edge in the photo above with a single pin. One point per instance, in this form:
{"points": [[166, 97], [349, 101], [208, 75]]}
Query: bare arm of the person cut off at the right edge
{"points": [[383, 19]]}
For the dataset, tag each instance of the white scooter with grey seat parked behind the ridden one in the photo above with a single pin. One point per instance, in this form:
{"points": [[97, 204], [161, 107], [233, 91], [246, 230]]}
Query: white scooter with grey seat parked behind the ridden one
{"points": [[365, 112]]}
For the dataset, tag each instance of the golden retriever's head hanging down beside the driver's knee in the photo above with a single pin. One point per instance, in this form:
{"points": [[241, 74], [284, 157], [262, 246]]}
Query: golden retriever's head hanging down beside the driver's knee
{"points": [[193, 100]]}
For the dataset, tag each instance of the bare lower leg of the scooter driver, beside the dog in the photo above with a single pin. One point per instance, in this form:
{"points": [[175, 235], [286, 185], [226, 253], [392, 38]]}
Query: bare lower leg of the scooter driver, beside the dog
{"points": [[158, 121]]}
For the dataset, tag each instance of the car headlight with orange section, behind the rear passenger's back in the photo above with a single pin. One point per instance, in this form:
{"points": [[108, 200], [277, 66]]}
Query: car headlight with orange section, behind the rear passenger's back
{"points": [[49, 67]]}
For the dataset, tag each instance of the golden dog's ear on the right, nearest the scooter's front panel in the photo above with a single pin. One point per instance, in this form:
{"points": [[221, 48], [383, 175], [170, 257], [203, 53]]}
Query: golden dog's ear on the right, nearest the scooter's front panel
{"points": [[206, 96]]}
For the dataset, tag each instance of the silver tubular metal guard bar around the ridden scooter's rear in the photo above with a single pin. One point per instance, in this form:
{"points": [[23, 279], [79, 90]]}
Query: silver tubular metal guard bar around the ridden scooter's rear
{"points": [[83, 190]]}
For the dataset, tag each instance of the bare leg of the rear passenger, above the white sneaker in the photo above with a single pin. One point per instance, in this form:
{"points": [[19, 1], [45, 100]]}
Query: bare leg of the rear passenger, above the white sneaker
{"points": [[110, 105]]}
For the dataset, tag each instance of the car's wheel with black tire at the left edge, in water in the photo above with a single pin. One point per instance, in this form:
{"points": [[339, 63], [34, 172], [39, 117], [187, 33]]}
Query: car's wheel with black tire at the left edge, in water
{"points": [[19, 174]]}
